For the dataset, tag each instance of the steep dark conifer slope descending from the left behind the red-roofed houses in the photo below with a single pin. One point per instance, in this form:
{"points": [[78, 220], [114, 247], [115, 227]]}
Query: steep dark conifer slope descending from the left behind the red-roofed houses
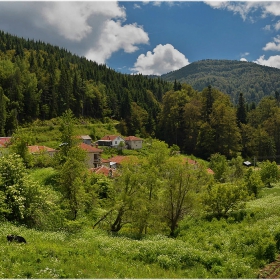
{"points": [[38, 80]]}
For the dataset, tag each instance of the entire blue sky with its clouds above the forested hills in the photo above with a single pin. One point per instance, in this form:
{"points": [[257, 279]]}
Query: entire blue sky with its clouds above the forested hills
{"points": [[151, 37]]}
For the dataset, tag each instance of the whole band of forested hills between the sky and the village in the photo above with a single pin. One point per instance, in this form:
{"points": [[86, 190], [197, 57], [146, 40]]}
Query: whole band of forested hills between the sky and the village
{"points": [[41, 81]]}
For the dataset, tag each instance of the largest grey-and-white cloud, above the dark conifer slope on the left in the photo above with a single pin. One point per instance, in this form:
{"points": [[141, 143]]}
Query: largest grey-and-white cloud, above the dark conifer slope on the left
{"points": [[92, 29]]}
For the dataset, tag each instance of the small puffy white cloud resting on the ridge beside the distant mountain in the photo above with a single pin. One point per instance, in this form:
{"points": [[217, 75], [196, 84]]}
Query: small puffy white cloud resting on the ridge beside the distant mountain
{"points": [[163, 59]]}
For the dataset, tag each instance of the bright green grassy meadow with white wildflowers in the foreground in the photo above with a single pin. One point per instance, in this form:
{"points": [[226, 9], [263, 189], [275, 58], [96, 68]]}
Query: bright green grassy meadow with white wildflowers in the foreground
{"points": [[203, 249]]}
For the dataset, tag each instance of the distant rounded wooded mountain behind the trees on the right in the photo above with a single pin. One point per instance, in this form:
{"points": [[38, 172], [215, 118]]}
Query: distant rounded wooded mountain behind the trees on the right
{"points": [[231, 77]]}
